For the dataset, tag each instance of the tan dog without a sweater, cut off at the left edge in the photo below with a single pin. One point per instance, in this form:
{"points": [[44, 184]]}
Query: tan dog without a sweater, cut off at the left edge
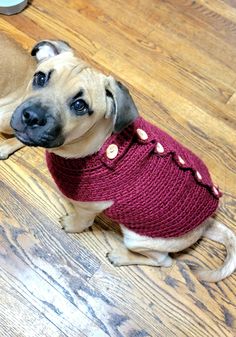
{"points": [[16, 68]]}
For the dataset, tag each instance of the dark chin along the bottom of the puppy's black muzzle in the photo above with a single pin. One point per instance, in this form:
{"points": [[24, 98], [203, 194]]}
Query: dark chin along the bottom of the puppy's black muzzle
{"points": [[44, 141]]}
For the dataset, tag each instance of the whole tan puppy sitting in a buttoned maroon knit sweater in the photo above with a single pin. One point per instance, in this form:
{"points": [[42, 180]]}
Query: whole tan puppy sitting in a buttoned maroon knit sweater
{"points": [[105, 158]]}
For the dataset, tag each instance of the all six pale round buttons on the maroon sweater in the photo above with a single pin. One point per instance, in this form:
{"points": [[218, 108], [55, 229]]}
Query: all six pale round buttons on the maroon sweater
{"points": [[112, 152]]}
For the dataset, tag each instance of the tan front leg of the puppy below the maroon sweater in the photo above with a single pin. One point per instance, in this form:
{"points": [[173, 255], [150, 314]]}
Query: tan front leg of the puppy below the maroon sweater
{"points": [[83, 215]]}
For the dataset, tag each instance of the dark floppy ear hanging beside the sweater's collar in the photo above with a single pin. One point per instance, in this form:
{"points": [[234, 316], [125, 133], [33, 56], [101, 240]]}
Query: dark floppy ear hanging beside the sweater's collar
{"points": [[120, 105]]}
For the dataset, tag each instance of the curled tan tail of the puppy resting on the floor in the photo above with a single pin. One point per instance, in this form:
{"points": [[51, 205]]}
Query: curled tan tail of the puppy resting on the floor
{"points": [[220, 233]]}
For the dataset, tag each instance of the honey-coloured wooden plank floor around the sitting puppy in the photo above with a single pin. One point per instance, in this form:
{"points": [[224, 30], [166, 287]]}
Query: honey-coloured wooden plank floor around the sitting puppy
{"points": [[179, 60]]}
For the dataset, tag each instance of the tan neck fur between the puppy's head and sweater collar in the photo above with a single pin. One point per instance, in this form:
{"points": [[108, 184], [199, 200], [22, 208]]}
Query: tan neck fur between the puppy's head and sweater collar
{"points": [[89, 143]]}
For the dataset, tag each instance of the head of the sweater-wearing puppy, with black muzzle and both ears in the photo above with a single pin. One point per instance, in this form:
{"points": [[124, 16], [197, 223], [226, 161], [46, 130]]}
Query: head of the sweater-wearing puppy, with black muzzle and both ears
{"points": [[66, 98]]}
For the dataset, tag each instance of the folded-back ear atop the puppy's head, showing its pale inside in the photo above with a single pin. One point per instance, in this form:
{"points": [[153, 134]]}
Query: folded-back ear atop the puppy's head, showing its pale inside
{"points": [[49, 48]]}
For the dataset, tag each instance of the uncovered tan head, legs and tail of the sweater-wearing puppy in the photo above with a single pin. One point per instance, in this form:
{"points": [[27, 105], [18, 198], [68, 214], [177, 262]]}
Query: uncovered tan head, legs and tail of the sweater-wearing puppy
{"points": [[71, 109]]}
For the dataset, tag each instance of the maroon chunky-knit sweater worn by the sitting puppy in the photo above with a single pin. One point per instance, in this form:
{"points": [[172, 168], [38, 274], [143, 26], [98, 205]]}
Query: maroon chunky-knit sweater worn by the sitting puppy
{"points": [[159, 188]]}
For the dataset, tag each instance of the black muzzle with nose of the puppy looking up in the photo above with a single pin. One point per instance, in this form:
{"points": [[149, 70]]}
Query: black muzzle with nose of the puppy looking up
{"points": [[35, 125]]}
